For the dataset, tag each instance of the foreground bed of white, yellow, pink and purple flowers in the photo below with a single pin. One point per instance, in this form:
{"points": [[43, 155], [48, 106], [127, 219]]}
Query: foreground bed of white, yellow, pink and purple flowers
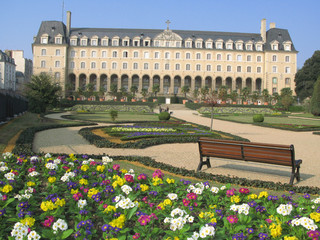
{"points": [[76, 198]]}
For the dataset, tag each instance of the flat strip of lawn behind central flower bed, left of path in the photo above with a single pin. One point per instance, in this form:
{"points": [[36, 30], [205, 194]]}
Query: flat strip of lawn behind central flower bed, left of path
{"points": [[122, 117]]}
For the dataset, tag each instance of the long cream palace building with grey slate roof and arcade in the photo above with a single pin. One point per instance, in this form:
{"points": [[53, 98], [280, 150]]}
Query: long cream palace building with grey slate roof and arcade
{"points": [[168, 58]]}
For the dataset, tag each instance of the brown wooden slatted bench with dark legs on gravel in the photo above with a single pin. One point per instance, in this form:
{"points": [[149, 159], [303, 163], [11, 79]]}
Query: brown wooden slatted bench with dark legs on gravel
{"points": [[249, 151]]}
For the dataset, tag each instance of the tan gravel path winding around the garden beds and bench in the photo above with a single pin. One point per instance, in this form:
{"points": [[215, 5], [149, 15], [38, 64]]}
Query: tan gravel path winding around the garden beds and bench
{"points": [[186, 155]]}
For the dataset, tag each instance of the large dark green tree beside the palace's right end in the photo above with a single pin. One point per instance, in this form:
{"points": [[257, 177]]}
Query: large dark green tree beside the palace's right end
{"points": [[306, 77]]}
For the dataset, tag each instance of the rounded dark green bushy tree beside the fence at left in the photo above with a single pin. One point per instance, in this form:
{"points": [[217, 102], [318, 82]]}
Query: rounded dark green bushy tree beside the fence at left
{"points": [[42, 92]]}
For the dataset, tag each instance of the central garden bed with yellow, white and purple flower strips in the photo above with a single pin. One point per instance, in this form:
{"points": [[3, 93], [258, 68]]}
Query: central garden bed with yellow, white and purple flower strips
{"points": [[145, 134]]}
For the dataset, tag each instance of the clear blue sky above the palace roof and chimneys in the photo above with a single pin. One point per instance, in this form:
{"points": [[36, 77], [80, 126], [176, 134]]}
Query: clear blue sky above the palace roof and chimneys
{"points": [[21, 19]]}
